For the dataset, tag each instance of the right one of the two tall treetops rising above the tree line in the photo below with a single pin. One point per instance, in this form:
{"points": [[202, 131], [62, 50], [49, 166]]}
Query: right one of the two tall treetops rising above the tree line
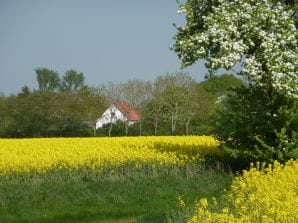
{"points": [[72, 81]]}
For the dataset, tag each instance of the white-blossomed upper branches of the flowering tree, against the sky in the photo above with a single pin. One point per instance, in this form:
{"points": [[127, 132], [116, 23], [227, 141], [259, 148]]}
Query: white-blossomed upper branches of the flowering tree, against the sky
{"points": [[259, 34]]}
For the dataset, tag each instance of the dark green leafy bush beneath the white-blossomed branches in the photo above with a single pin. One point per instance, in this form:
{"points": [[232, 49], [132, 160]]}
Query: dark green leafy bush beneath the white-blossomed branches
{"points": [[255, 127]]}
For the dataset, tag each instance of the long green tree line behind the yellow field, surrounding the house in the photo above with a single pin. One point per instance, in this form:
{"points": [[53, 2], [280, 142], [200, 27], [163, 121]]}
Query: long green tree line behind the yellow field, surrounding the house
{"points": [[64, 106]]}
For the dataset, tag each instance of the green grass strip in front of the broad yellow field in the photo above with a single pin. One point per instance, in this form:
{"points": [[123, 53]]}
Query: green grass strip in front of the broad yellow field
{"points": [[142, 195]]}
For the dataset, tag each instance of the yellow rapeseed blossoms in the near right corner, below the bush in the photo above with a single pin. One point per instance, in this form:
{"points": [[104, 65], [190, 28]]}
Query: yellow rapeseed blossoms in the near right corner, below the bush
{"points": [[261, 194]]}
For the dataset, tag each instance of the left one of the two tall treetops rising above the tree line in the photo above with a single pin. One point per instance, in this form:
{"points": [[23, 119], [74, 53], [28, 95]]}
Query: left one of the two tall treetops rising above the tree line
{"points": [[48, 80]]}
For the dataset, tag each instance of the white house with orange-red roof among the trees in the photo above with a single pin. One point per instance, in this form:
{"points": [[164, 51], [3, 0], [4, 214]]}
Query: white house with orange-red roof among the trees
{"points": [[118, 111]]}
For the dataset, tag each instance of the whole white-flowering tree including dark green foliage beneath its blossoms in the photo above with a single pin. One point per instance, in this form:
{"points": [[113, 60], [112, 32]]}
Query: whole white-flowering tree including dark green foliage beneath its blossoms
{"points": [[259, 120]]}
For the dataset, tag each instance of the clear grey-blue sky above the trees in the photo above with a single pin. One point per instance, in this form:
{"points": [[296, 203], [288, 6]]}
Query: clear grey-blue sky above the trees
{"points": [[106, 40]]}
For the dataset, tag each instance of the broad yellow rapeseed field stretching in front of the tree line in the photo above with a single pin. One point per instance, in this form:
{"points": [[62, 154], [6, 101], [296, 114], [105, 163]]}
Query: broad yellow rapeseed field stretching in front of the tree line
{"points": [[44, 154]]}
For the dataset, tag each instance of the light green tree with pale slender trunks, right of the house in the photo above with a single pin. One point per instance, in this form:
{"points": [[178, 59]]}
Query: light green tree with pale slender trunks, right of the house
{"points": [[172, 103]]}
